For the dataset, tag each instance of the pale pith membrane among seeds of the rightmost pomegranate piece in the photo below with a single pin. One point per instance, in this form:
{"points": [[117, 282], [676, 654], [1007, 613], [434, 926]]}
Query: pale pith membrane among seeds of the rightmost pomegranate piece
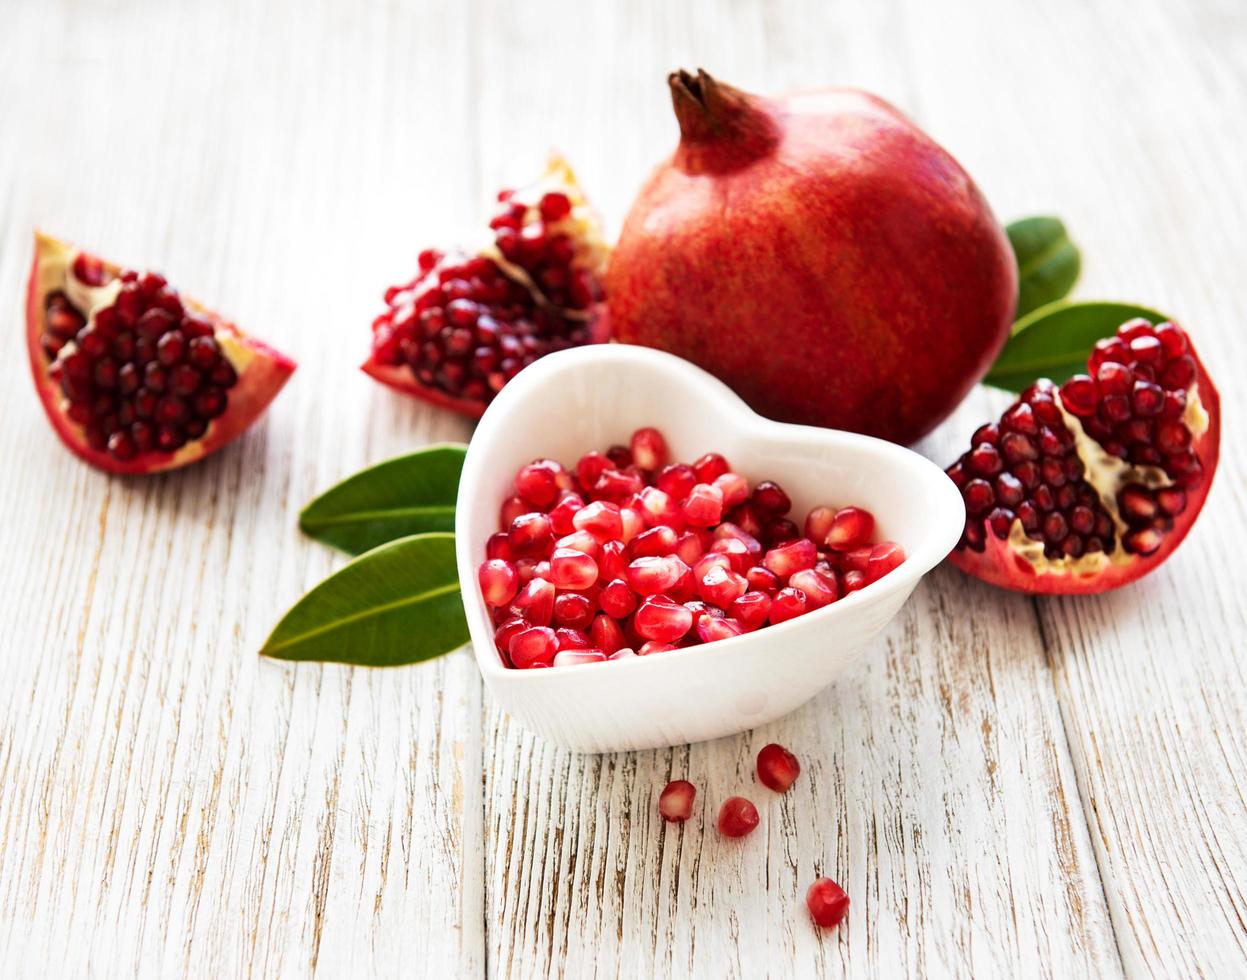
{"points": [[1108, 474]]}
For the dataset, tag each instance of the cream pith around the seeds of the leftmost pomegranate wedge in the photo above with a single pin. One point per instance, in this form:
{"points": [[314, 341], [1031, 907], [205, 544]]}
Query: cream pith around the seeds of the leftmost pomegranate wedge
{"points": [[57, 275]]}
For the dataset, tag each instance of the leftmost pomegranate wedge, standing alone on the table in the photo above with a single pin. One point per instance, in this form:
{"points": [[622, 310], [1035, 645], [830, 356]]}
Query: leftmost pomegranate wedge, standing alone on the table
{"points": [[134, 377]]}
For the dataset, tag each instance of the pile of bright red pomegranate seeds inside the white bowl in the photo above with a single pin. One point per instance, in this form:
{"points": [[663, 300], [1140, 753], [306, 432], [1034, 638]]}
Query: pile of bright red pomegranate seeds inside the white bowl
{"points": [[630, 555]]}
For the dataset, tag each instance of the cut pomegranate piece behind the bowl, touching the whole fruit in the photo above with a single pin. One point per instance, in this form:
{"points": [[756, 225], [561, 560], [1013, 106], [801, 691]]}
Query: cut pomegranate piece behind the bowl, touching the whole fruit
{"points": [[471, 321]]}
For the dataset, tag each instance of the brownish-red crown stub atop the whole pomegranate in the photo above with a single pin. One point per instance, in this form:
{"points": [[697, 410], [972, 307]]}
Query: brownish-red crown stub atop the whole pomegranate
{"points": [[710, 112]]}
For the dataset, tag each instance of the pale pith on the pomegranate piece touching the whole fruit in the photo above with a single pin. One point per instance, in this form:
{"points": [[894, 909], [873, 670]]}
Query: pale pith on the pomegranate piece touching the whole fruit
{"points": [[582, 225]]}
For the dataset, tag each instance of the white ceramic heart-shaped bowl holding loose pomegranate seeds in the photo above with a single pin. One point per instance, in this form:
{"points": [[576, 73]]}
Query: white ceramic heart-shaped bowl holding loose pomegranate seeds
{"points": [[593, 397]]}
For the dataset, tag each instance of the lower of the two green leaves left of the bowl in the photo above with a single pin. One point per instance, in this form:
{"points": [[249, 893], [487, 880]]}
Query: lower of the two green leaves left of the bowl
{"points": [[398, 604]]}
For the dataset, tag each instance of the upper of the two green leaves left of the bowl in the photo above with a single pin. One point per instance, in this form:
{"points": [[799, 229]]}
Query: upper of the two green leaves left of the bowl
{"points": [[402, 497]]}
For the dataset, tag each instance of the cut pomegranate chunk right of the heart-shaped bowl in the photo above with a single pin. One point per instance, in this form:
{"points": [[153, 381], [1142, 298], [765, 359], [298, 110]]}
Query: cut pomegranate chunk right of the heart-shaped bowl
{"points": [[1087, 487]]}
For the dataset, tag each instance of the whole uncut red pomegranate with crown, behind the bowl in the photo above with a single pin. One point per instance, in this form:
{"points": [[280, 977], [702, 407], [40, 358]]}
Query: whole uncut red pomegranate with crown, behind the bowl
{"points": [[819, 254]]}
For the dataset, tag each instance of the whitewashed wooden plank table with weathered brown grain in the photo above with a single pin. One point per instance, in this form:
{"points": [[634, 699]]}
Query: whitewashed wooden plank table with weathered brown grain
{"points": [[1004, 786]]}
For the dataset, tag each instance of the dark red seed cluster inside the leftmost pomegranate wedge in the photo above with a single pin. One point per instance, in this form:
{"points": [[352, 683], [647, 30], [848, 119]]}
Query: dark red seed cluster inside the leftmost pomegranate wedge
{"points": [[145, 375]]}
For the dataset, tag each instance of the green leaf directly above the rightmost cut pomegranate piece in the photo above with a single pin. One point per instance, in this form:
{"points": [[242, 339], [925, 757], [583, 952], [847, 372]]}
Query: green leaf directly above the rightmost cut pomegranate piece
{"points": [[1054, 342]]}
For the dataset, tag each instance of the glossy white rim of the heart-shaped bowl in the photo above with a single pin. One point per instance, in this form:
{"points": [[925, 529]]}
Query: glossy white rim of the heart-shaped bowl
{"points": [[942, 503]]}
